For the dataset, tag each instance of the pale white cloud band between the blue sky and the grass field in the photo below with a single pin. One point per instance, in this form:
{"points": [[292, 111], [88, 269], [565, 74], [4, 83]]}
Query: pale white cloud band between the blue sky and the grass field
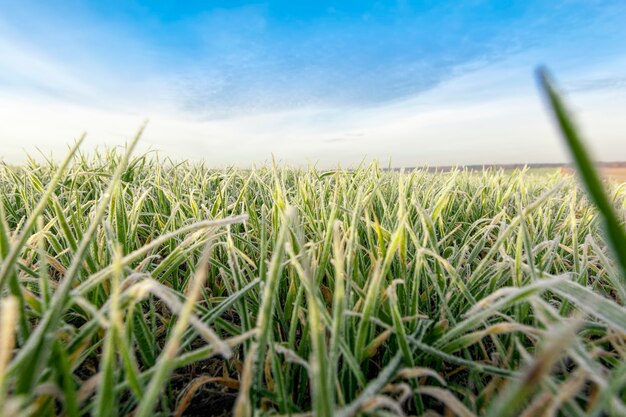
{"points": [[491, 113]]}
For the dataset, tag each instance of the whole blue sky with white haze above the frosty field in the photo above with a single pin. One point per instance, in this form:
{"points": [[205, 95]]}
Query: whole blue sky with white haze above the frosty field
{"points": [[429, 82]]}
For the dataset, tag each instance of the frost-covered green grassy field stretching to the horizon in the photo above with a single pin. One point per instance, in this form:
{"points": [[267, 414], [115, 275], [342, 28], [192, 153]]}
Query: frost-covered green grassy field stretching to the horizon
{"points": [[133, 286]]}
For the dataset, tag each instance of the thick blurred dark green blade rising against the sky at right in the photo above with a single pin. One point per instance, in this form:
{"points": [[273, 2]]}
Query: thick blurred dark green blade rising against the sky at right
{"points": [[588, 174]]}
